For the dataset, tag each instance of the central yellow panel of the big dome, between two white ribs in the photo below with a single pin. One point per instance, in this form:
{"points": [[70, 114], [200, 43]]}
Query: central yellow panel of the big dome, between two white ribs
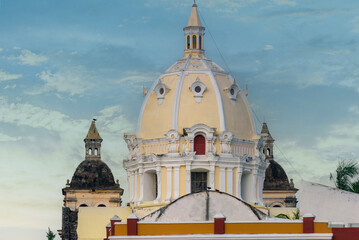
{"points": [[206, 111]]}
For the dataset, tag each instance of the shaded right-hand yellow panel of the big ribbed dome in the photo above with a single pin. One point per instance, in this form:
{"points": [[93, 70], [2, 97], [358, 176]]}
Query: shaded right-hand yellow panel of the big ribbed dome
{"points": [[237, 116]]}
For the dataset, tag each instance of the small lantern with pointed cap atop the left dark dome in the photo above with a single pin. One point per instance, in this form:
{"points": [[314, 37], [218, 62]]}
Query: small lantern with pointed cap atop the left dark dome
{"points": [[93, 143]]}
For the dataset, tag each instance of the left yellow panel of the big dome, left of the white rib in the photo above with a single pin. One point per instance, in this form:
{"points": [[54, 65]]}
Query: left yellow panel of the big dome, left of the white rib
{"points": [[149, 126]]}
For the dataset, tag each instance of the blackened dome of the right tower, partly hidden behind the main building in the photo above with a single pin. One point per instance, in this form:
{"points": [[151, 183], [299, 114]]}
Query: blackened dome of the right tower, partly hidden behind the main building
{"points": [[276, 178]]}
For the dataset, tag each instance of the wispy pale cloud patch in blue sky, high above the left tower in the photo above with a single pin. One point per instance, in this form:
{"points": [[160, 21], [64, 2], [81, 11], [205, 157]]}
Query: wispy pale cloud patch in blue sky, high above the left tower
{"points": [[74, 81]]}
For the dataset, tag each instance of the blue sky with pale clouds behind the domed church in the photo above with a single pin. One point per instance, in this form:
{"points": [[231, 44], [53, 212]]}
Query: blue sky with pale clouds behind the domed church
{"points": [[65, 62]]}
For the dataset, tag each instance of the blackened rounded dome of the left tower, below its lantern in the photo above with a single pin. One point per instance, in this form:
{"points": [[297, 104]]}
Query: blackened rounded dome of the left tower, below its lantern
{"points": [[93, 174]]}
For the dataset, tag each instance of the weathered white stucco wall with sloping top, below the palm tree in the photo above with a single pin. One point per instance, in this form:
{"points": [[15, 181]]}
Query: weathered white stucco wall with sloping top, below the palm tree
{"points": [[328, 204]]}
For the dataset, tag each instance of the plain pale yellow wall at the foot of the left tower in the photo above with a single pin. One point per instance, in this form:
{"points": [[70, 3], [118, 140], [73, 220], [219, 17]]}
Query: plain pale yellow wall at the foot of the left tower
{"points": [[92, 221]]}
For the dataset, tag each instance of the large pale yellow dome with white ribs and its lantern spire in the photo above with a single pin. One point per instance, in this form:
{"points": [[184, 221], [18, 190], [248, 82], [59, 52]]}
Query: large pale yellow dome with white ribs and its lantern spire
{"points": [[195, 90]]}
